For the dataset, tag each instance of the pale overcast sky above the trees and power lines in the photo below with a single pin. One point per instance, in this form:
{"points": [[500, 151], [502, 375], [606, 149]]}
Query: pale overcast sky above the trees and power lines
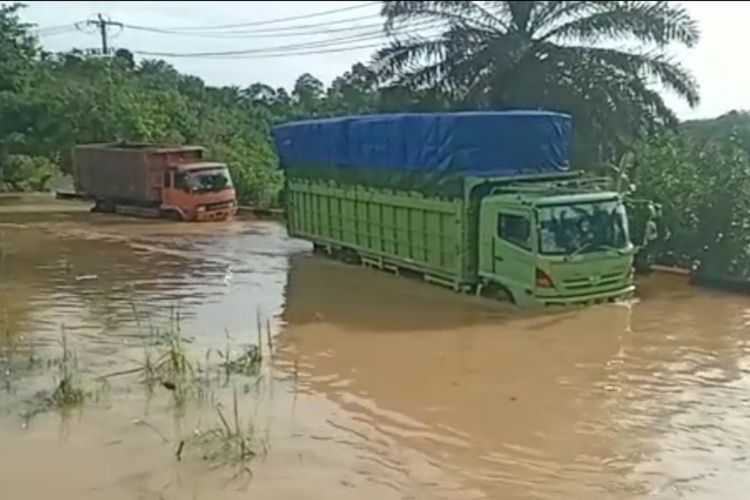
{"points": [[718, 62]]}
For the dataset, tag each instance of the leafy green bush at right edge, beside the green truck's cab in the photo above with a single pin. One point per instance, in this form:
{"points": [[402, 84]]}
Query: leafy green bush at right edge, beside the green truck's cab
{"points": [[704, 189]]}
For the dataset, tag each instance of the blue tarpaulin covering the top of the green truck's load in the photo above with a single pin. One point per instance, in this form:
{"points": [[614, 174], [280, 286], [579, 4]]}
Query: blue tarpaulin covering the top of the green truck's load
{"points": [[492, 143]]}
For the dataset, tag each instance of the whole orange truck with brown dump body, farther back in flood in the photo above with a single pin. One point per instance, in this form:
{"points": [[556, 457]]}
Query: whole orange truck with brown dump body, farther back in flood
{"points": [[154, 180]]}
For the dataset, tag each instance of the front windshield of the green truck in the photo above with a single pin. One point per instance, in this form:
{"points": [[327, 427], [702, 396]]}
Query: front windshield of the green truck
{"points": [[582, 228]]}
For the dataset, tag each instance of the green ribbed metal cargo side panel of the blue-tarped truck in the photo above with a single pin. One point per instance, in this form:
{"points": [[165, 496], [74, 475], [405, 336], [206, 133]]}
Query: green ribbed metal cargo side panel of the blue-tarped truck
{"points": [[386, 228]]}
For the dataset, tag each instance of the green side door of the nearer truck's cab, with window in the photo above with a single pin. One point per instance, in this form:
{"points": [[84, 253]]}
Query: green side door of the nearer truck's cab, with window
{"points": [[509, 247]]}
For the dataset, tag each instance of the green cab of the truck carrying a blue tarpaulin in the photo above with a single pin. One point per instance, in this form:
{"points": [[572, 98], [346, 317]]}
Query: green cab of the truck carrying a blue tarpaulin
{"points": [[549, 247]]}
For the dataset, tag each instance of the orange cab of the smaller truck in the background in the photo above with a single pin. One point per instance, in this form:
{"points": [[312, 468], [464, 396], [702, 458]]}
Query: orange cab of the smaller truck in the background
{"points": [[198, 191]]}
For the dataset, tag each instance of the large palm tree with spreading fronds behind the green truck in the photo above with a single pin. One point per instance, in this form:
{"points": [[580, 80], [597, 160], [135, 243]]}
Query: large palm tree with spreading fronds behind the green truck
{"points": [[600, 61]]}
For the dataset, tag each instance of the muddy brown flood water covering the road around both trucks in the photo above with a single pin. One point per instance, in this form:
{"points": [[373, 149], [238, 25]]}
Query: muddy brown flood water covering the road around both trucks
{"points": [[379, 387]]}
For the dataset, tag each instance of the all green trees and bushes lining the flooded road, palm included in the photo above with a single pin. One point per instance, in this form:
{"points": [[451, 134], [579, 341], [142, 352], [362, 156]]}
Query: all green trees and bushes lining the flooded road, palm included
{"points": [[490, 55]]}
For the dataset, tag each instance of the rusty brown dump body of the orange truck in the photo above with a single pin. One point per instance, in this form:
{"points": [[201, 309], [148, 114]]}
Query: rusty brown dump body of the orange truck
{"points": [[127, 172]]}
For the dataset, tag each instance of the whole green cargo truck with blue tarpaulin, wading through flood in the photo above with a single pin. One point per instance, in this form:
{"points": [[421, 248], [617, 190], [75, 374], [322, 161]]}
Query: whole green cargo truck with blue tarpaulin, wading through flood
{"points": [[481, 202]]}
